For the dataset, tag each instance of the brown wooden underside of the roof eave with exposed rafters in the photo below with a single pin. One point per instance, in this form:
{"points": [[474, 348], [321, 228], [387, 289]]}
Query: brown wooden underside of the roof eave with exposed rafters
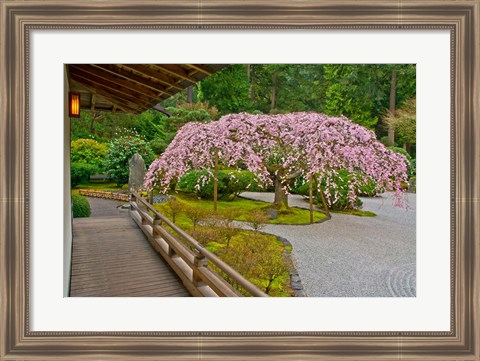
{"points": [[133, 88]]}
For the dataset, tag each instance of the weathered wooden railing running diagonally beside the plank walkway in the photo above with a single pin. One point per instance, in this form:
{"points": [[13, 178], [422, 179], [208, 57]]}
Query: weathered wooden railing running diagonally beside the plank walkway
{"points": [[186, 256]]}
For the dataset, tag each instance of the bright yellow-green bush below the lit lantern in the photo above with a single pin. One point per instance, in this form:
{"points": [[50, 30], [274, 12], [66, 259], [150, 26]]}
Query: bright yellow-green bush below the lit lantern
{"points": [[88, 151]]}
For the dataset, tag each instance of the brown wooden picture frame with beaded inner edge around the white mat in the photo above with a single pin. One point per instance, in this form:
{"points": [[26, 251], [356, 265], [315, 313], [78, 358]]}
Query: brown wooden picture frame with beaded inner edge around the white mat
{"points": [[18, 18]]}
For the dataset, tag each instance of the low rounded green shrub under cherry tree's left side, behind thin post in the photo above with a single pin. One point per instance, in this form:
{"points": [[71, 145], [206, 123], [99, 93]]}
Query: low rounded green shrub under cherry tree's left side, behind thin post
{"points": [[230, 183]]}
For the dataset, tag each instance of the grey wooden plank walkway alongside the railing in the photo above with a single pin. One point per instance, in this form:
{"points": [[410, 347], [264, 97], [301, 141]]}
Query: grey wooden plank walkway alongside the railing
{"points": [[111, 257]]}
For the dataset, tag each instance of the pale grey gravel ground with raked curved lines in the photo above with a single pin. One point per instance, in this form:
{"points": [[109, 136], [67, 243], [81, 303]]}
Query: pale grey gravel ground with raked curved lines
{"points": [[351, 256]]}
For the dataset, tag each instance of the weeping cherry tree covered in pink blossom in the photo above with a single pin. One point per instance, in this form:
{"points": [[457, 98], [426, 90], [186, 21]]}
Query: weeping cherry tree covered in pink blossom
{"points": [[279, 148]]}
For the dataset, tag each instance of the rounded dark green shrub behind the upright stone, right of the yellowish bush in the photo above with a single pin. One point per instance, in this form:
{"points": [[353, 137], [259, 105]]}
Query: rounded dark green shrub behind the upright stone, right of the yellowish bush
{"points": [[120, 151]]}
